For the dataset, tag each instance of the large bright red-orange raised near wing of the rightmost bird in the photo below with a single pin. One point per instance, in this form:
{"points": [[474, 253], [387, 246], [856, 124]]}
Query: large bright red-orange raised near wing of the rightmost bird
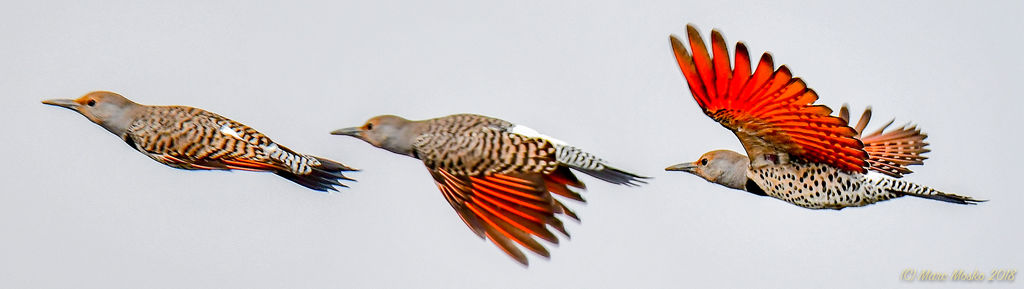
{"points": [[770, 111]]}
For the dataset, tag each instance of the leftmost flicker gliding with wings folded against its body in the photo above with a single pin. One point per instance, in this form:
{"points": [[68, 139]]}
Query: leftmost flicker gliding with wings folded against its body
{"points": [[196, 140]]}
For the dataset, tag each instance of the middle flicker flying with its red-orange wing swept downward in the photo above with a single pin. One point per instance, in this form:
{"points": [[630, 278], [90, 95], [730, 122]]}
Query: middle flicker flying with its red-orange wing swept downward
{"points": [[497, 176]]}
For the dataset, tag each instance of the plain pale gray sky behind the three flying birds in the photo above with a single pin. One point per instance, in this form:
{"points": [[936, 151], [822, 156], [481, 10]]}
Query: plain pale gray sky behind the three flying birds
{"points": [[80, 210]]}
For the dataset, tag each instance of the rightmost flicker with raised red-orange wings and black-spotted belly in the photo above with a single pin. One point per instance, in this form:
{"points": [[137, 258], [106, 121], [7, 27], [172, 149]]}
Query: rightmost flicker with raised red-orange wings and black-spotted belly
{"points": [[796, 151]]}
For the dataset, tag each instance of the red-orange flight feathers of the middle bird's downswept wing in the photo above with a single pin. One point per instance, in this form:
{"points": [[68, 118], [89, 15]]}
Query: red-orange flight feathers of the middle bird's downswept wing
{"points": [[508, 210]]}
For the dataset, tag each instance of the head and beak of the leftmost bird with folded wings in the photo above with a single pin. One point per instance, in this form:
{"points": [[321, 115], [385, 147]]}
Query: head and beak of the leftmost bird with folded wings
{"points": [[109, 110]]}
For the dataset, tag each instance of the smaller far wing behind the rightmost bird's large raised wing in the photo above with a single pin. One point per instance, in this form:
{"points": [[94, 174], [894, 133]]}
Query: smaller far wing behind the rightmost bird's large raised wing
{"points": [[890, 152]]}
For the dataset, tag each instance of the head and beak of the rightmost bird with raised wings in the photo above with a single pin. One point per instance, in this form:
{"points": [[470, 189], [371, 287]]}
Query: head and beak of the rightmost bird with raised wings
{"points": [[723, 168]]}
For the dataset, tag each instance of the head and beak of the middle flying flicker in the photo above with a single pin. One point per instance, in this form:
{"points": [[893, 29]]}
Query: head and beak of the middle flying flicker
{"points": [[390, 133]]}
